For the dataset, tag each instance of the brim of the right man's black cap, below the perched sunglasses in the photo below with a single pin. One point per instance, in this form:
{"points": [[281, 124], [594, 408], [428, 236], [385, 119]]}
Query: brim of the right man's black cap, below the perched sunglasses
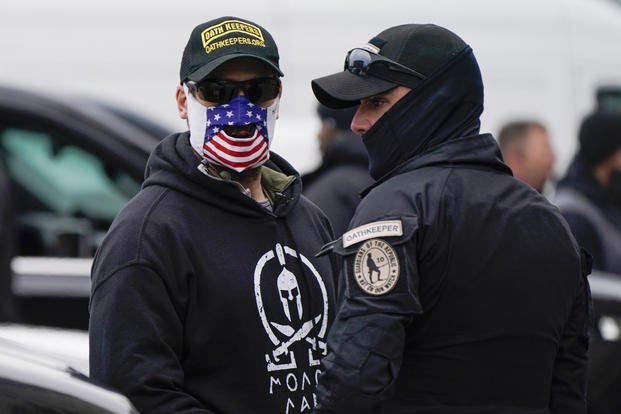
{"points": [[344, 89]]}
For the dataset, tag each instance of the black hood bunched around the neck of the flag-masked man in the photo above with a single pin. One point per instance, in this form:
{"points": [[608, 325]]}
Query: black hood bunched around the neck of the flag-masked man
{"points": [[173, 164]]}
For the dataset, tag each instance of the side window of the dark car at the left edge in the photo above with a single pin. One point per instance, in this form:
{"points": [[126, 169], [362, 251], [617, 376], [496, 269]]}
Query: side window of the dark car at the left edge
{"points": [[66, 195]]}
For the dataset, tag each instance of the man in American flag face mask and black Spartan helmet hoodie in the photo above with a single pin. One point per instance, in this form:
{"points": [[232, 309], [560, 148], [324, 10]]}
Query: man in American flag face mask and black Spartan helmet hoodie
{"points": [[206, 294]]}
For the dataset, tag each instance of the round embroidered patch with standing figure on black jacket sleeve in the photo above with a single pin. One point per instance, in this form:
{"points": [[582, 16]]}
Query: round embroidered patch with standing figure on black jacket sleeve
{"points": [[376, 267]]}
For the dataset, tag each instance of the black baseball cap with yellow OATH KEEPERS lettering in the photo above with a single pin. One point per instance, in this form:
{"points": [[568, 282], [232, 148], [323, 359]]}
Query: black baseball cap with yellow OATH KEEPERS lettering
{"points": [[220, 40]]}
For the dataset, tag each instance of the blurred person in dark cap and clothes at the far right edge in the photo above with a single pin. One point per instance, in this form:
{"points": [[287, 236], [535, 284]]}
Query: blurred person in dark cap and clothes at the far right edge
{"points": [[590, 198]]}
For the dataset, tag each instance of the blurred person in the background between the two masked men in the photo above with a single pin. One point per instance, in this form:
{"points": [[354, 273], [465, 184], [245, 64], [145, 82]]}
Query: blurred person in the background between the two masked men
{"points": [[336, 184]]}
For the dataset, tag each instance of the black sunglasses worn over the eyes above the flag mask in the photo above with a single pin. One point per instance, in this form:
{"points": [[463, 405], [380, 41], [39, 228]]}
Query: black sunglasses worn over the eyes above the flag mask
{"points": [[222, 91]]}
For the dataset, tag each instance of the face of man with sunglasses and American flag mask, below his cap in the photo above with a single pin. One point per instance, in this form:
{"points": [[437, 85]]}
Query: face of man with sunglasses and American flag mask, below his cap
{"points": [[231, 132]]}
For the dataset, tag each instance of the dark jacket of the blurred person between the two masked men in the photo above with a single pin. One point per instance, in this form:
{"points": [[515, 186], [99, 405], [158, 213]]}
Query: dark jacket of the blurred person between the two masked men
{"points": [[336, 184]]}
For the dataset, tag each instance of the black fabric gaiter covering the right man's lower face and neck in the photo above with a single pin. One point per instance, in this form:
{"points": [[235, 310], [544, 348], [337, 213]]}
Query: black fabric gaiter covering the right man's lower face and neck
{"points": [[445, 107]]}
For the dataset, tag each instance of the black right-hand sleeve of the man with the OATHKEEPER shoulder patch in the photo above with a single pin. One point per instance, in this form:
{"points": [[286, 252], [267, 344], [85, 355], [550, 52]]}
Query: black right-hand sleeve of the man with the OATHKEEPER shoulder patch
{"points": [[570, 368]]}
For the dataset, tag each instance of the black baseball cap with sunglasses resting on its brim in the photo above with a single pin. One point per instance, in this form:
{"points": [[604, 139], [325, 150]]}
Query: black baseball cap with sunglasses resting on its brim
{"points": [[424, 48]]}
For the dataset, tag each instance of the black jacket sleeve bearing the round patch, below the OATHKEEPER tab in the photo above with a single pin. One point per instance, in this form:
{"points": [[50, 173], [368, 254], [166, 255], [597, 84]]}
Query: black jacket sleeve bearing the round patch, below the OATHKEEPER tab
{"points": [[367, 339]]}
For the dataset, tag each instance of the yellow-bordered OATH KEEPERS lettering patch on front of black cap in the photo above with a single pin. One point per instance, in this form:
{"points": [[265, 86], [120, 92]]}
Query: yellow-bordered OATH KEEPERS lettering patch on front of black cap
{"points": [[230, 33]]}
